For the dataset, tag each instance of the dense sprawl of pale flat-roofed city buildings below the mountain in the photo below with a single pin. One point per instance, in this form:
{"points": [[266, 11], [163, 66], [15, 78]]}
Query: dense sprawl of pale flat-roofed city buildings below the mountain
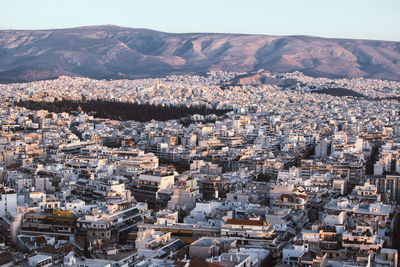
{"points": [[296, 171]]}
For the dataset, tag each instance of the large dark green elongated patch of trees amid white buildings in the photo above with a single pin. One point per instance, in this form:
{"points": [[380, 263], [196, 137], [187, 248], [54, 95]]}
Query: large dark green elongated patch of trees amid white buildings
{"points": [[121, 110]]}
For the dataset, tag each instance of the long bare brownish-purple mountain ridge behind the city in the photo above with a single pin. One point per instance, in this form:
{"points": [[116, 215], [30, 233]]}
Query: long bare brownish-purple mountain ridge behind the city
{"points": [[112, 52]]}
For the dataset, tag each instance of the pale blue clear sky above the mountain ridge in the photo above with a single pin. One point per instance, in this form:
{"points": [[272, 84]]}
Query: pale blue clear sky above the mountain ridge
{"points": [[365, 19]]}
